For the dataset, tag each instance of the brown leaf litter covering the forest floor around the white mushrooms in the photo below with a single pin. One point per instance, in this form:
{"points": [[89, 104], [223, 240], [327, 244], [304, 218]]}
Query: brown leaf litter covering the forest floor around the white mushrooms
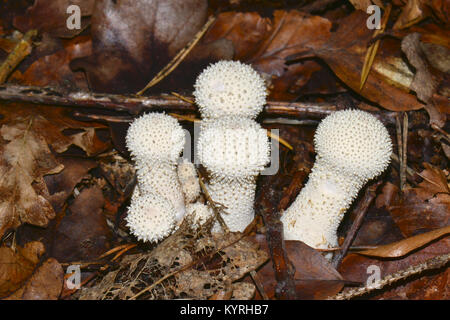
{"points": [[65, 188]]}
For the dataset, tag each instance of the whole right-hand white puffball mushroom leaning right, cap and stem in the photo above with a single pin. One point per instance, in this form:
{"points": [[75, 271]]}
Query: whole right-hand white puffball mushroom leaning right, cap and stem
{"points": [[352, 147]]}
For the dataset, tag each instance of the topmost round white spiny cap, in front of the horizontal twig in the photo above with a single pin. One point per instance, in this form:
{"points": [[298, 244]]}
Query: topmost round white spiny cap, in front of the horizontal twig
{"points": [[230, 88]]}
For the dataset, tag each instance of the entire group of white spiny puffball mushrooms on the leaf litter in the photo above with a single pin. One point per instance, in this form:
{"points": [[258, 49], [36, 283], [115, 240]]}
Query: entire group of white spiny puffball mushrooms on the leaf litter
{"points": [[352, 147]]}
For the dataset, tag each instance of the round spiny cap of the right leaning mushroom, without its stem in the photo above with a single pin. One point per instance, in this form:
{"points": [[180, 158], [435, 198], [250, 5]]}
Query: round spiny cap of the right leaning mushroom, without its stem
{"points": [[354, 142]]}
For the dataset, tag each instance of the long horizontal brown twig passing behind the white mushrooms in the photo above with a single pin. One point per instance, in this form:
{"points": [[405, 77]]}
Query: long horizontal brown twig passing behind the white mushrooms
{"points": [[133, 105]]}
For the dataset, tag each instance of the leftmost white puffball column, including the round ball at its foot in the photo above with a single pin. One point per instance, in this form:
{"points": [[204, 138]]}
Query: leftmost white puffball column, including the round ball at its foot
{"points": [[155, 141]]}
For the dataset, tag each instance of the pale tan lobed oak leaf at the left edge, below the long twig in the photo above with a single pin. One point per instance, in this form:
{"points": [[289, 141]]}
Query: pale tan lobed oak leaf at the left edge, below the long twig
{"points": [[26, 136]]}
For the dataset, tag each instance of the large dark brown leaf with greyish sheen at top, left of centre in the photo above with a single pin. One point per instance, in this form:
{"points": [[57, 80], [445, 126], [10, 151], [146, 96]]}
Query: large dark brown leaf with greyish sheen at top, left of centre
{"points": [[135, 39]]}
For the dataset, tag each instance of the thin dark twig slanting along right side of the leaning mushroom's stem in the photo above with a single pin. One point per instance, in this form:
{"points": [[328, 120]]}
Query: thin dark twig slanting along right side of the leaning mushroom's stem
{"points": [[361, 210]]}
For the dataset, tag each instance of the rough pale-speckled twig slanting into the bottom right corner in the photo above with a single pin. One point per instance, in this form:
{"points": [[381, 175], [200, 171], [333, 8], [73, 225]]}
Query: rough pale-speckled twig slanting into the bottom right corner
{"points": [[430, 264]]}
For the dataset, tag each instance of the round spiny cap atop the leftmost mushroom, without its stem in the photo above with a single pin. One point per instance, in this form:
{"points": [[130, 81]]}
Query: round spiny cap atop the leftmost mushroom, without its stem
{"points": [[155, 136]]}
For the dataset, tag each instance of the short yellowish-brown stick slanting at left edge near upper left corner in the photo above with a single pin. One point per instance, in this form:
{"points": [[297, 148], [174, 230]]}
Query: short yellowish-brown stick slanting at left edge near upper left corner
{"points": [[20, 51]]}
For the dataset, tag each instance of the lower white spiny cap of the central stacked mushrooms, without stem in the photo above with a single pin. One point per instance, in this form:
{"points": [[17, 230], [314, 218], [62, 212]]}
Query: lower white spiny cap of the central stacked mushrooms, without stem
{"points": [[233, 147]]}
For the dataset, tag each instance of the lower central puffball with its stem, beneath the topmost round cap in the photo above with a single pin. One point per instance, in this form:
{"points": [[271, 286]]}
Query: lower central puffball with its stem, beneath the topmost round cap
{"points": [[234, 151]]}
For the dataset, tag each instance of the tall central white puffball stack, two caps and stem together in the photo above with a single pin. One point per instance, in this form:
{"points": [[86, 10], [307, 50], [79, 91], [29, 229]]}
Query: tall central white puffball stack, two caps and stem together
{"points": [[232, 146]]}
